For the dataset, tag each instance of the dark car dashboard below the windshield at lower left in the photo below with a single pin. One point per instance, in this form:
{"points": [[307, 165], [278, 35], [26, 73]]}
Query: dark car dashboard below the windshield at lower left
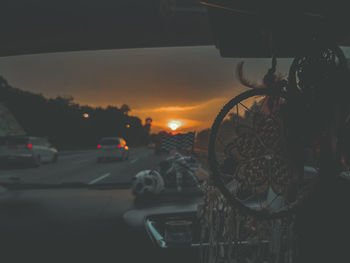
{"points": [[77, 225]]}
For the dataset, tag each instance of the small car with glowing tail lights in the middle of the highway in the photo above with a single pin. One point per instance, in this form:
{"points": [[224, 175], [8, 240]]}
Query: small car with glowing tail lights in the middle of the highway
{"points": [[112, 148]]}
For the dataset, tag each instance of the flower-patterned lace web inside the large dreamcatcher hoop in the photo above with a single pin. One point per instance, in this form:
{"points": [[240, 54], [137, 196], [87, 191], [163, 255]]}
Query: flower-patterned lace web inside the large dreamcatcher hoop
{"points": [[260, 151]]}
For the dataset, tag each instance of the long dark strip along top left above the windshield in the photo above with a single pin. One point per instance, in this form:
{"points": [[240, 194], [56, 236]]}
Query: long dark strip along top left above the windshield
{"points": [[42, 26]]}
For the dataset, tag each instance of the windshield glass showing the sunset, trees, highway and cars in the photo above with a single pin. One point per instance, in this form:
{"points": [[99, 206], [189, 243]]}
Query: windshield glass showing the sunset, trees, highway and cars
{"points": [[74, 104]]}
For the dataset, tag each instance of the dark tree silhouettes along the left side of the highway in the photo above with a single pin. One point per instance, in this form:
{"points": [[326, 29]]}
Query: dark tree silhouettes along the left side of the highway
{"points": [[61, 119]]}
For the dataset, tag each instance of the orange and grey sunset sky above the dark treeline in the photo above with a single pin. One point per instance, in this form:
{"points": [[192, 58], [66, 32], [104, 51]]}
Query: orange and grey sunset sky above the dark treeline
{"points": [[189, 84]]}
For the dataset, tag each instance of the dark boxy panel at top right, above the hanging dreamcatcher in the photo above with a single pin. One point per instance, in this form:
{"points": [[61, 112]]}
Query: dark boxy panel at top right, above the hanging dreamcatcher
{"points": [[258, 29]]}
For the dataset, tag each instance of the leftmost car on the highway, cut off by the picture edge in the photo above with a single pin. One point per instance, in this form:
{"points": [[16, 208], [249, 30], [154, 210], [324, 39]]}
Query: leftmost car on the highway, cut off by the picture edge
{"points": [[27, 150]]}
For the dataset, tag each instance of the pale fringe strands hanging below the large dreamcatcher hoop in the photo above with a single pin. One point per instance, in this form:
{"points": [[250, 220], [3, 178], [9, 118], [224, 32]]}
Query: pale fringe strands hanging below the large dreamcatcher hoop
{"points": [[222, 224]]}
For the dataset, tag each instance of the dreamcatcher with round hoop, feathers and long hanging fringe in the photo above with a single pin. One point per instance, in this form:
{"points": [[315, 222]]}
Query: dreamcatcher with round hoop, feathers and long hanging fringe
{"points": [[257, 161]]}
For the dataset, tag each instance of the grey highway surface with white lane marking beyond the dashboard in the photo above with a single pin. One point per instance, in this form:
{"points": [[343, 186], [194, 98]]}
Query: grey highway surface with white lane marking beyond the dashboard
{"points": [[82, 166]]}
